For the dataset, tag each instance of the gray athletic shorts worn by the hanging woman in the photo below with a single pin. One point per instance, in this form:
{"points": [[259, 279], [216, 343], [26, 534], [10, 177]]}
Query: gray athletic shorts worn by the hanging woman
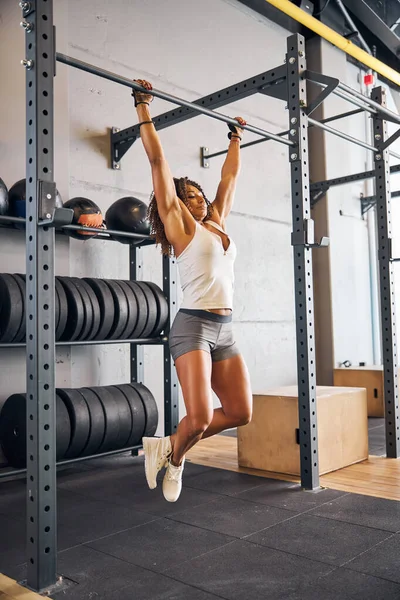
{"points": [[202, 330]]}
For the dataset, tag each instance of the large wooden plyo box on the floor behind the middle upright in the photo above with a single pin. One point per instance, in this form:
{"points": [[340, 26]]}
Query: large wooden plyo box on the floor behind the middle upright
{"points": [[269, 441]]}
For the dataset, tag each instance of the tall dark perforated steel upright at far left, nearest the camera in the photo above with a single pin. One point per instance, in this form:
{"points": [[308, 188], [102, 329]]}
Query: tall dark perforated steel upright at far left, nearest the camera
{"points": [[40, 346]]}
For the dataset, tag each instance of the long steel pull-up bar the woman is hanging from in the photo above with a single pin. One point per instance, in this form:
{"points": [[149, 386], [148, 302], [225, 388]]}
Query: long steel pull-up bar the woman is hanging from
{"points": [[83, 66]]}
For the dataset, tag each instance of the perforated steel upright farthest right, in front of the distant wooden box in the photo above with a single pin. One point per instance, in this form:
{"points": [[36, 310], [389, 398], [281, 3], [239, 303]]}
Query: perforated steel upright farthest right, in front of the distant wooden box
{"points": [[387, 288]]}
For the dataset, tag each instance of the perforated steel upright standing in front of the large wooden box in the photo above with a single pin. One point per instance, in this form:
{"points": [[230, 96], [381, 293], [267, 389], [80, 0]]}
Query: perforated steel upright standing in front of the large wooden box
{"points": [[302, 238]]}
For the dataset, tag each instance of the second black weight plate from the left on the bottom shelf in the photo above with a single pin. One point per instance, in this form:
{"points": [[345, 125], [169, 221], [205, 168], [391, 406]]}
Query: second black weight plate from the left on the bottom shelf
{"points": [[80, 420]]}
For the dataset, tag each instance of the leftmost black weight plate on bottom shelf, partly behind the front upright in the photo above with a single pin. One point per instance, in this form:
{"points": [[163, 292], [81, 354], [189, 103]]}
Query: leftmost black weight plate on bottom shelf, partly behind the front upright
{"points": [[13, 430]]}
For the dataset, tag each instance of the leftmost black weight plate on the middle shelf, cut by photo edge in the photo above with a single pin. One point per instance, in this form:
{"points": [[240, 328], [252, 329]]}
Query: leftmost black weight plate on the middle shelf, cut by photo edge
{"points": [[10, 308]]}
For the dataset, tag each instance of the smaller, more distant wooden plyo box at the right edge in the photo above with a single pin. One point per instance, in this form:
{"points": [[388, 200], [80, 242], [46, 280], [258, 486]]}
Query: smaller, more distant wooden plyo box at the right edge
{"points": [[371, 378]]}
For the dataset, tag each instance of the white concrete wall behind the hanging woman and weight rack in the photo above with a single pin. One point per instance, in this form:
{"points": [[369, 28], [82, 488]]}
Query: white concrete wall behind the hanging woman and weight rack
{"points": [[186, 49]]}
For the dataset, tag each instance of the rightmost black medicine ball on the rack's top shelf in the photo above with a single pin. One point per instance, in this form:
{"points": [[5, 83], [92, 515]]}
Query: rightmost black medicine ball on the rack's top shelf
{"points": [[128, 214]]}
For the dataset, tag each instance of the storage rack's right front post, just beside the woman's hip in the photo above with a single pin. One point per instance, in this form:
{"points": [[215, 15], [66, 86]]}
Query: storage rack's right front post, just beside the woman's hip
{"points": [[171, 387]]}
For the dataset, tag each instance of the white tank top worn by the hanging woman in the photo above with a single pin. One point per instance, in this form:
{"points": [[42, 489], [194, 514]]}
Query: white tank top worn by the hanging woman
{"points": [[206, 270]]}
